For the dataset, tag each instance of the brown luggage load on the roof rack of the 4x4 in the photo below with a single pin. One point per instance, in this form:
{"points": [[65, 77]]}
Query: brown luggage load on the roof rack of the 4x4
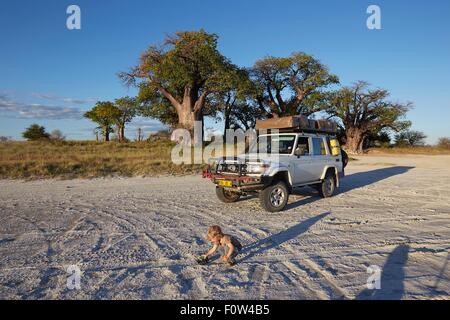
{"points": [[297, 123]]}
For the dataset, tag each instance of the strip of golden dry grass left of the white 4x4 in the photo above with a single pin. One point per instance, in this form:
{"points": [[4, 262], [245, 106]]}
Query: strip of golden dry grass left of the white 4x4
{"points": [[88, 159]]}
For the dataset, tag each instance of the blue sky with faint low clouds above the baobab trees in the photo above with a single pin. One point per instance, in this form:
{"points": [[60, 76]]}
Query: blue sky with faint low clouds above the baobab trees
{"points": [[50, 75]]}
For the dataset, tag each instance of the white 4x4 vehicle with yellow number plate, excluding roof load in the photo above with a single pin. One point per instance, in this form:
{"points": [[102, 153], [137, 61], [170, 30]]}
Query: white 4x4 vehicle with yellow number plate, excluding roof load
{"points": [[302, 159]]}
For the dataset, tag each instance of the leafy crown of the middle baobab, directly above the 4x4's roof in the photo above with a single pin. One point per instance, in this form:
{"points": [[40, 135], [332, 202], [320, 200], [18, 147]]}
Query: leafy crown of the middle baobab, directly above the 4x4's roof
{"points": [[292, 85]]}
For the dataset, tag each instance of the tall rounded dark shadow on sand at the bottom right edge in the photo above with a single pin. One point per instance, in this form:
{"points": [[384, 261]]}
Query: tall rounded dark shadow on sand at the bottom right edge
{"points": [[392, 277]]}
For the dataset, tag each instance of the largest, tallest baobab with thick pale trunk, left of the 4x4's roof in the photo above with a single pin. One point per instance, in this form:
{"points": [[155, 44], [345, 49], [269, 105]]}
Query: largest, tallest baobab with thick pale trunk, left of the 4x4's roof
{"points": [[178, 75]]}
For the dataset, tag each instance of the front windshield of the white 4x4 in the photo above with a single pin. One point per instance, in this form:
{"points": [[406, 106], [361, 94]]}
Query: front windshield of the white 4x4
{"points": [[279, 144]]}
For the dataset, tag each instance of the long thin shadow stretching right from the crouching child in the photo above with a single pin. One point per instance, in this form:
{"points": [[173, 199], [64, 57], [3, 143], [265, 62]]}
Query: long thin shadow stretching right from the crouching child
{"points": [[279, 238]]}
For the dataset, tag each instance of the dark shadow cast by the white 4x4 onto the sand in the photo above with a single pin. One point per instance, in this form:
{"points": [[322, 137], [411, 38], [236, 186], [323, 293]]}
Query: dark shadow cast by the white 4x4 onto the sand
{"points": [[348, 183]]}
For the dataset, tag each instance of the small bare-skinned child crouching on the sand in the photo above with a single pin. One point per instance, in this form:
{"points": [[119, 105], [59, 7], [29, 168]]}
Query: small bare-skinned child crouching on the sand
{"points": [[219, 239]]}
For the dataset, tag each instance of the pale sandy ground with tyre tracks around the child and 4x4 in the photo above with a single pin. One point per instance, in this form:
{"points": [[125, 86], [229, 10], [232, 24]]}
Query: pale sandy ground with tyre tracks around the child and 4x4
{"points": [[137, 238]]}
